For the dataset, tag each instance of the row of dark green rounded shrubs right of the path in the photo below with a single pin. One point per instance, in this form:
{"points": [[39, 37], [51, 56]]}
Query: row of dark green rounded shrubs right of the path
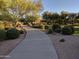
{"points": [[66, 30]]}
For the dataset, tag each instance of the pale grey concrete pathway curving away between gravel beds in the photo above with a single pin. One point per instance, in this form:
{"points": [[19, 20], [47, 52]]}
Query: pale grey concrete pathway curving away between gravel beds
{"points": [[36, 45]]}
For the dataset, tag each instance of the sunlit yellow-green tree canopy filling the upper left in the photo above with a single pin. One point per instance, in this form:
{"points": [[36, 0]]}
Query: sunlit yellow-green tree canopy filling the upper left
{"points": [[20, 8]]}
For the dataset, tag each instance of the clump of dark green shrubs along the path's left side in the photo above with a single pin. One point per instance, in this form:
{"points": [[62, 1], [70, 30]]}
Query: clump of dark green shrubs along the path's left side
{"points": [[10, 34]]}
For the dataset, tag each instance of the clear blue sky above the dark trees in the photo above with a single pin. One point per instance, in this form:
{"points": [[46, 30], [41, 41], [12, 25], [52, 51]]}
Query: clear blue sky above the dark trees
{"points": [[61, 5]]}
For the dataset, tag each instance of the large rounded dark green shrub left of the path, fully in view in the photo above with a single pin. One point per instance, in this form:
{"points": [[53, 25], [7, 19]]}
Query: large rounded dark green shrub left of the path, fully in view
{"points": [[12, 33]]}
